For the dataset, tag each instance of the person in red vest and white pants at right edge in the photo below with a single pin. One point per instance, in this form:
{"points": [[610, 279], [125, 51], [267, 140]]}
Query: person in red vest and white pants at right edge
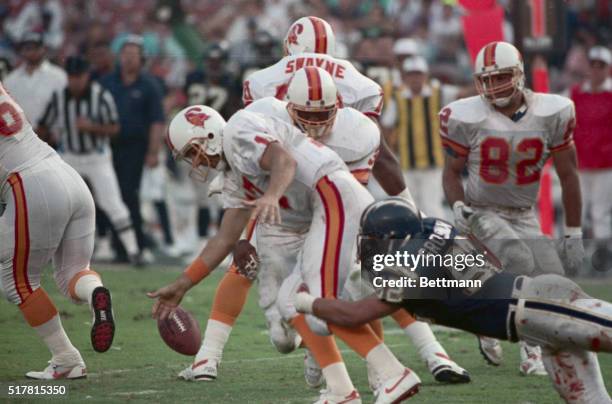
{"points": [[593, 138]]}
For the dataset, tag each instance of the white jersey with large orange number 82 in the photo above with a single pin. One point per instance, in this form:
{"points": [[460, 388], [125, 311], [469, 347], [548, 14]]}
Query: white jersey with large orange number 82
{"points": [[505, 156]]}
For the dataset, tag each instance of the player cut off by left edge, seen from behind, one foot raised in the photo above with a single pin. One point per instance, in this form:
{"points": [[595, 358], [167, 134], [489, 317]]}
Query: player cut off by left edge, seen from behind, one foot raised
{"points": [[47, 214]]}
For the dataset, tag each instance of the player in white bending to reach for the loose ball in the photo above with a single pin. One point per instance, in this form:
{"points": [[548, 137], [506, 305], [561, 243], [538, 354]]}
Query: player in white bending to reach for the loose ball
{"points": [[276, 175]]}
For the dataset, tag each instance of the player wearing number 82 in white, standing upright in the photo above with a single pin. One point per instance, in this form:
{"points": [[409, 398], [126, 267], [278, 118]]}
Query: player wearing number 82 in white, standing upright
{"points": [[504, 137]]}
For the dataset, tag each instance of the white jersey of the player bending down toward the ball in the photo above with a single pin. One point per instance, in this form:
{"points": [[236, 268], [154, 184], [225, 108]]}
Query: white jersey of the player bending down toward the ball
{"points": [[246, 137]]}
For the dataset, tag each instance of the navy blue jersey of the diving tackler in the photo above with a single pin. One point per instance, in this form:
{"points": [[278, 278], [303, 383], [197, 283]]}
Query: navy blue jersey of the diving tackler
{"points": [[481, 310]]}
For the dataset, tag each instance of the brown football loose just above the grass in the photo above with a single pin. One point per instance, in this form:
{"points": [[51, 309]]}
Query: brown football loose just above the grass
{"points": [[181, 332]]}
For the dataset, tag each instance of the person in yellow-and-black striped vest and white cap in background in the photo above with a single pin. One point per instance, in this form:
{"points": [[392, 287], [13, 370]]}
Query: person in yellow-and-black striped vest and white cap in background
{"points": [[413, 115]]}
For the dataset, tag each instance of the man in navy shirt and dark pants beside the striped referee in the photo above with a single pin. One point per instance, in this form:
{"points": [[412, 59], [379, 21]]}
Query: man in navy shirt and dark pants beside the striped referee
{"points": [[141, 117]]}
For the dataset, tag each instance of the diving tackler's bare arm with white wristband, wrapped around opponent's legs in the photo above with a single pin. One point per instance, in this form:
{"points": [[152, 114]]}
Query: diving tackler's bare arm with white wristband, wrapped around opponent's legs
{"points": [[345, 313]]}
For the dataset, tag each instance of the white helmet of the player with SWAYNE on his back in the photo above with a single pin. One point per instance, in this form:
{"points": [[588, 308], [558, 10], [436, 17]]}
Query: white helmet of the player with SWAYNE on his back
{"points": [[310, 34]]}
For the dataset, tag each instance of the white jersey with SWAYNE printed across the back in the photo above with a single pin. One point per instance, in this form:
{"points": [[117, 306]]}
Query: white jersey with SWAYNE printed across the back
{"points": [[355, 89]]}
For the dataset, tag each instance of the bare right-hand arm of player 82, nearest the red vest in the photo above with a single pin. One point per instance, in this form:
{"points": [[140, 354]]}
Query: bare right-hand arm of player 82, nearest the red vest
{"points": [[565, 163]]}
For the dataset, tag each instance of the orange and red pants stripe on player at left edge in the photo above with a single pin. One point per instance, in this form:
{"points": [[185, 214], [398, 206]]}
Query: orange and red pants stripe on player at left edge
{"points": [[21, 252]]}
